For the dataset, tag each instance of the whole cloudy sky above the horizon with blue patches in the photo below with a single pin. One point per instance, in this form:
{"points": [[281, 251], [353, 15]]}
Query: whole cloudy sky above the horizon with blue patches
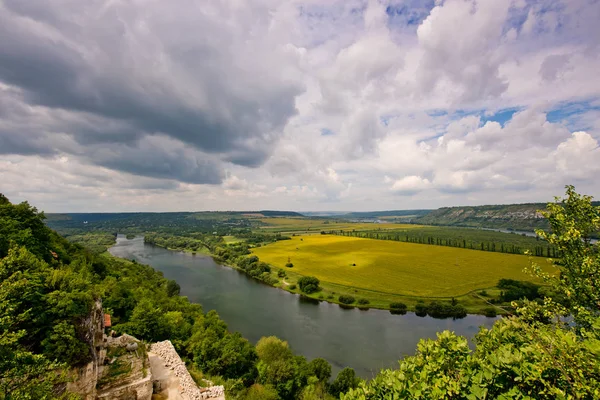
{"points": [[314, 105]]}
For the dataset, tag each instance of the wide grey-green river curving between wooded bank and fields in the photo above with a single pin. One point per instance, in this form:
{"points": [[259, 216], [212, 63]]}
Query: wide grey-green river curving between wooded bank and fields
{"points": [[364, 340]]}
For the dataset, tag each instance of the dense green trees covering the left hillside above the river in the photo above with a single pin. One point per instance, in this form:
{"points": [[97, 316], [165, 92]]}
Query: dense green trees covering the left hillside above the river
{"points": [[49, 285]]}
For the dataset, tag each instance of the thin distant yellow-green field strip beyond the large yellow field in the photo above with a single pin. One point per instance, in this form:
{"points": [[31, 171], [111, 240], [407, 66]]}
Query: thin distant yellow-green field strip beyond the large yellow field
{"points": [[318, 225]]}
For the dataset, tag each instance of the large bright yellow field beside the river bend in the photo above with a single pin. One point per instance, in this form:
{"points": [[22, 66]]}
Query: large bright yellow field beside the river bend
{"points": [[394, 267]]}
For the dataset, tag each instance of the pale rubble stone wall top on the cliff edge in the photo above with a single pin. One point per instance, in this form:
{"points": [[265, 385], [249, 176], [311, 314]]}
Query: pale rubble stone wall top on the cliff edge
{"points": [[187, 386]]}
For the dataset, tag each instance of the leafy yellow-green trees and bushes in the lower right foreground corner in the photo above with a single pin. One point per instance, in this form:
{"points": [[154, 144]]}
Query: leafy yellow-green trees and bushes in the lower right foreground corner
{"points": [[538, 353]]}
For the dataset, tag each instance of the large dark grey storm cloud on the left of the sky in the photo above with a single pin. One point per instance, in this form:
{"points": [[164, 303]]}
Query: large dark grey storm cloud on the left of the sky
{"points": [[115, 74]]}
